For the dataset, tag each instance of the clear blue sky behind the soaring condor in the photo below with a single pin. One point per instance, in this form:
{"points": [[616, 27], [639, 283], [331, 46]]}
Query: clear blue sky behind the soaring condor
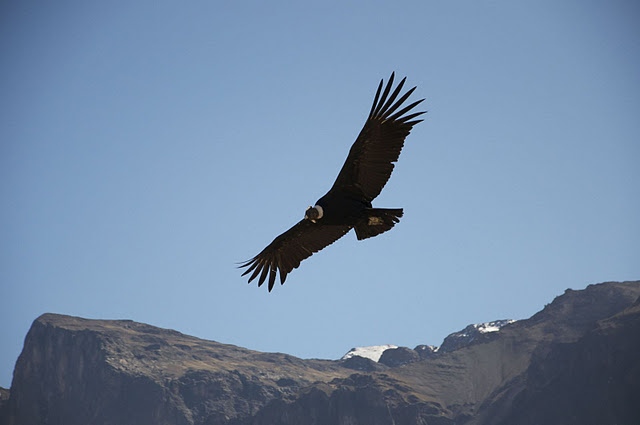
{"points": [[146, 147]]}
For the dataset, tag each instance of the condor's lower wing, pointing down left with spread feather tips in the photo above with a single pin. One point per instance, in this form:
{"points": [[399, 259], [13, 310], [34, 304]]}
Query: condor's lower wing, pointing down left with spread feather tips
{"points": [[287, 250]]}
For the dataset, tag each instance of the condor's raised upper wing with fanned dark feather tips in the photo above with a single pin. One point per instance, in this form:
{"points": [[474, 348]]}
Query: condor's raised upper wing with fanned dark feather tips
{"points": [[370, 161]]}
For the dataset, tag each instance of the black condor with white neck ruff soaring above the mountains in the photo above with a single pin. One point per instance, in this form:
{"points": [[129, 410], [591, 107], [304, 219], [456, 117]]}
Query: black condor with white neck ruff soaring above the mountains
{"points": [[347, 205]]}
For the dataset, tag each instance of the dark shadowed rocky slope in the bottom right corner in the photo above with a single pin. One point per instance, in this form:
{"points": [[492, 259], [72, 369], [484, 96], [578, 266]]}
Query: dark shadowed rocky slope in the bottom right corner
{"points": [[594, 380]]}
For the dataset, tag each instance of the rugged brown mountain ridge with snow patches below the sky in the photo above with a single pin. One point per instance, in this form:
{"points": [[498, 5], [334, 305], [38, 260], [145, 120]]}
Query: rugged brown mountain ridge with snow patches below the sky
{"points": [[575, 361]]}
